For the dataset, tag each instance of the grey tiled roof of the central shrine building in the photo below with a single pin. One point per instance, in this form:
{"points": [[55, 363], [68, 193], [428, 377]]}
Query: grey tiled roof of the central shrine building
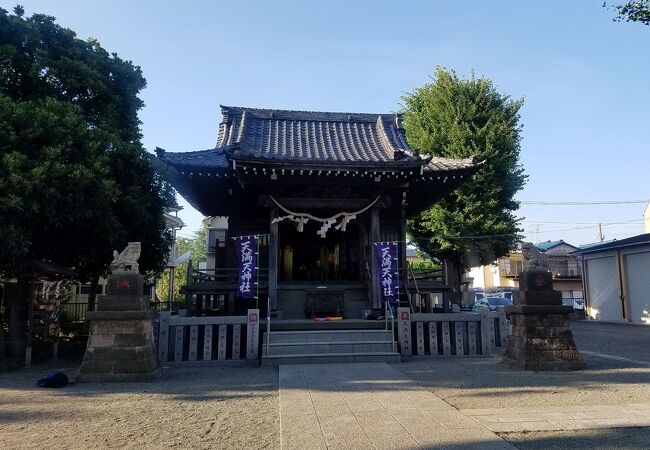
{"points": [[307, 137]]}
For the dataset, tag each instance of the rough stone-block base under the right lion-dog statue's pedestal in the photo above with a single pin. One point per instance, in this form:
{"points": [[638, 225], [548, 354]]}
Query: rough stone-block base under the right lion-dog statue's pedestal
{"points": [[541, 339]]}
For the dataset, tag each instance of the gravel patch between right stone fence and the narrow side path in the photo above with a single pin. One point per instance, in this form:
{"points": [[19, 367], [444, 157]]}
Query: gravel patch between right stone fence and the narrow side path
{"points": [[487, 383]]}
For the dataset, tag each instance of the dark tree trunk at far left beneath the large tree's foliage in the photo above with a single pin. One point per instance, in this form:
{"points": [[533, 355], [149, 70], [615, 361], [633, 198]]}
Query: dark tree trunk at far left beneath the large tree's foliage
{"points": [[18, 317]]}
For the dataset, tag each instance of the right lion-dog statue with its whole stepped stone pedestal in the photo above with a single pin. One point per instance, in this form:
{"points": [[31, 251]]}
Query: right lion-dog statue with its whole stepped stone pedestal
{"points": [[541, 337]]}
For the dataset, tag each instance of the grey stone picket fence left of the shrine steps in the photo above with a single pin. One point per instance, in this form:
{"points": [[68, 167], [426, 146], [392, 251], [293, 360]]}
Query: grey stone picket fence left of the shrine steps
{"points": [[221, 339]]}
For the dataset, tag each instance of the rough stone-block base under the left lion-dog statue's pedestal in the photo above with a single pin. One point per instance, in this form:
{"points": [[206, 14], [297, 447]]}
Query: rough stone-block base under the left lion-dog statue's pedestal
{"points": [[120, 348]]}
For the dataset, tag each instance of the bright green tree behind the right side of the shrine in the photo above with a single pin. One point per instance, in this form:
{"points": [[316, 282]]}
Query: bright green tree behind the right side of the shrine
{"points": [[458, 118]]}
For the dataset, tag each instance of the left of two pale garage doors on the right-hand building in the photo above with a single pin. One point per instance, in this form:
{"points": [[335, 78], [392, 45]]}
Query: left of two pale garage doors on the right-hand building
{"points": [[604, 292]]}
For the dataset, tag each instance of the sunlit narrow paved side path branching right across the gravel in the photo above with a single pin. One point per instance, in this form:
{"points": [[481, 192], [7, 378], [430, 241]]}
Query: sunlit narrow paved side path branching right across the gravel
{"points": [[577, 417]]}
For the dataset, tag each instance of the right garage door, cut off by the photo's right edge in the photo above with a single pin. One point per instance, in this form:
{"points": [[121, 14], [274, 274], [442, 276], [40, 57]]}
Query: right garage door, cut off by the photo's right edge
{"points": [[637, 269]]}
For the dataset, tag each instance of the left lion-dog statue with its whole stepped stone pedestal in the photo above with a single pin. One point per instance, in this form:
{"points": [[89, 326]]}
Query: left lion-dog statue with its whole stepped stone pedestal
{"points": [[121, 343]]}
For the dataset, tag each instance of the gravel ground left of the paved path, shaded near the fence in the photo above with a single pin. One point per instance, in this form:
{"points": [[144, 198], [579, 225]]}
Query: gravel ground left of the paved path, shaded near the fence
{"points": [[187, 408]]}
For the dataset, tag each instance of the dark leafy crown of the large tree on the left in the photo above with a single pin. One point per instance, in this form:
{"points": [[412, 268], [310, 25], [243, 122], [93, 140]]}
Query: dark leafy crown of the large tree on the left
{"points": [[75, 181]]}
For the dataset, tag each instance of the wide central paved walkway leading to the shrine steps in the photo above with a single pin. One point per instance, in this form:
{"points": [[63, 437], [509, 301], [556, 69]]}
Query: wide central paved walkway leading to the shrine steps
{"points": [[370, 406]]}
